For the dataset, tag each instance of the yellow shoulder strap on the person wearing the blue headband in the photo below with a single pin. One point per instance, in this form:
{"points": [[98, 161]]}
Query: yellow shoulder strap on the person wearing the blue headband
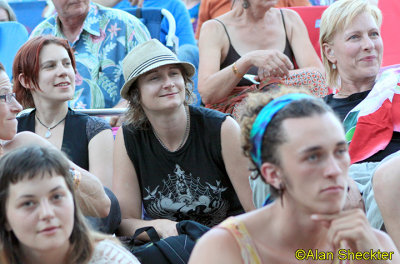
{"points": [[242, 237]]}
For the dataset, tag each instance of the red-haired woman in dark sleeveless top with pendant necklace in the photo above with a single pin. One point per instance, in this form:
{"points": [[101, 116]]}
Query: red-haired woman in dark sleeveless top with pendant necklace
{"points": [[44, 78]]}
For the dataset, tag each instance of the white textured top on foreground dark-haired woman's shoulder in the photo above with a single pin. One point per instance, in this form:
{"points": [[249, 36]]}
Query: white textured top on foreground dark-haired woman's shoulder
{"points": [[108, 252]]}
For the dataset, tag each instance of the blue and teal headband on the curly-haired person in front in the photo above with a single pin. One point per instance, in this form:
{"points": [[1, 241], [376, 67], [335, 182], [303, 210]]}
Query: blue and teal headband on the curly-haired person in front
{"points": [[264, 117]]}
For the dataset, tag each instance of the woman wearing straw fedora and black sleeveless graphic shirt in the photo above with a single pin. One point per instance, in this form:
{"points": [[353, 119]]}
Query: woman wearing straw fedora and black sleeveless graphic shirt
{"points": [[182, 162]]}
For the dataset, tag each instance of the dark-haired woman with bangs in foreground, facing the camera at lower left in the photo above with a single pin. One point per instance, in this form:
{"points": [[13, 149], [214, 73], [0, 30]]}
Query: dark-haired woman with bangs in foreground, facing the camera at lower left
{"points": [[40, 221]]}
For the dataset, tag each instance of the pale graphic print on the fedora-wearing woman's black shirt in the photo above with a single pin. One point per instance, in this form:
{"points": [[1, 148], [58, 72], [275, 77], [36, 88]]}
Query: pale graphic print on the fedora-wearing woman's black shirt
{"points": [[183, 197]]}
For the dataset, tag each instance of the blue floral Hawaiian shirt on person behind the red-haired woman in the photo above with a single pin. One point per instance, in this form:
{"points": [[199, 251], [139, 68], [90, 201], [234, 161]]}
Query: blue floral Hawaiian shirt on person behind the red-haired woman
{"points": [[106, 38]]}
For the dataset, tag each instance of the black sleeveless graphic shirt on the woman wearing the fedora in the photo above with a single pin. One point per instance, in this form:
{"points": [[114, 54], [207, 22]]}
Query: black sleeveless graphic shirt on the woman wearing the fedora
{"points": [[191, 183]]}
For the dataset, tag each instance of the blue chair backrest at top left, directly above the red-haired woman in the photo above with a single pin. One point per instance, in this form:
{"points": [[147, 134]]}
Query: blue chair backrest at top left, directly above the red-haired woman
{"points": [[29, 13]]}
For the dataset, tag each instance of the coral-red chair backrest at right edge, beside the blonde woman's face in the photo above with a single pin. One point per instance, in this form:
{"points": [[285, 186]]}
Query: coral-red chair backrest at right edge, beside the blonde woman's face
{"points": [[389, 31]]}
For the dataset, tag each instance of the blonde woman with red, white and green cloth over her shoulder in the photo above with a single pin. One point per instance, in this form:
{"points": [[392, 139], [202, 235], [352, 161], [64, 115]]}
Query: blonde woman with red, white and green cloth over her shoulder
{"points": [[367, 103]]}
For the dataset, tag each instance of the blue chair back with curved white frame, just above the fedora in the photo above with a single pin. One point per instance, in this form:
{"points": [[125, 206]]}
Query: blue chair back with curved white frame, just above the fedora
{"points": [[152, 18]]}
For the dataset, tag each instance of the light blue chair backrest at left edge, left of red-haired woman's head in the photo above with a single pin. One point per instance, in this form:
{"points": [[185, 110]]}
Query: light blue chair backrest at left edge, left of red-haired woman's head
{"points": [[12, 36]]}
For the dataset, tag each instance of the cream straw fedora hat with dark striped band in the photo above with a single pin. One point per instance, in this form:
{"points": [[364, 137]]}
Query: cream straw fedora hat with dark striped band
{"points": [[146, 57]]}
